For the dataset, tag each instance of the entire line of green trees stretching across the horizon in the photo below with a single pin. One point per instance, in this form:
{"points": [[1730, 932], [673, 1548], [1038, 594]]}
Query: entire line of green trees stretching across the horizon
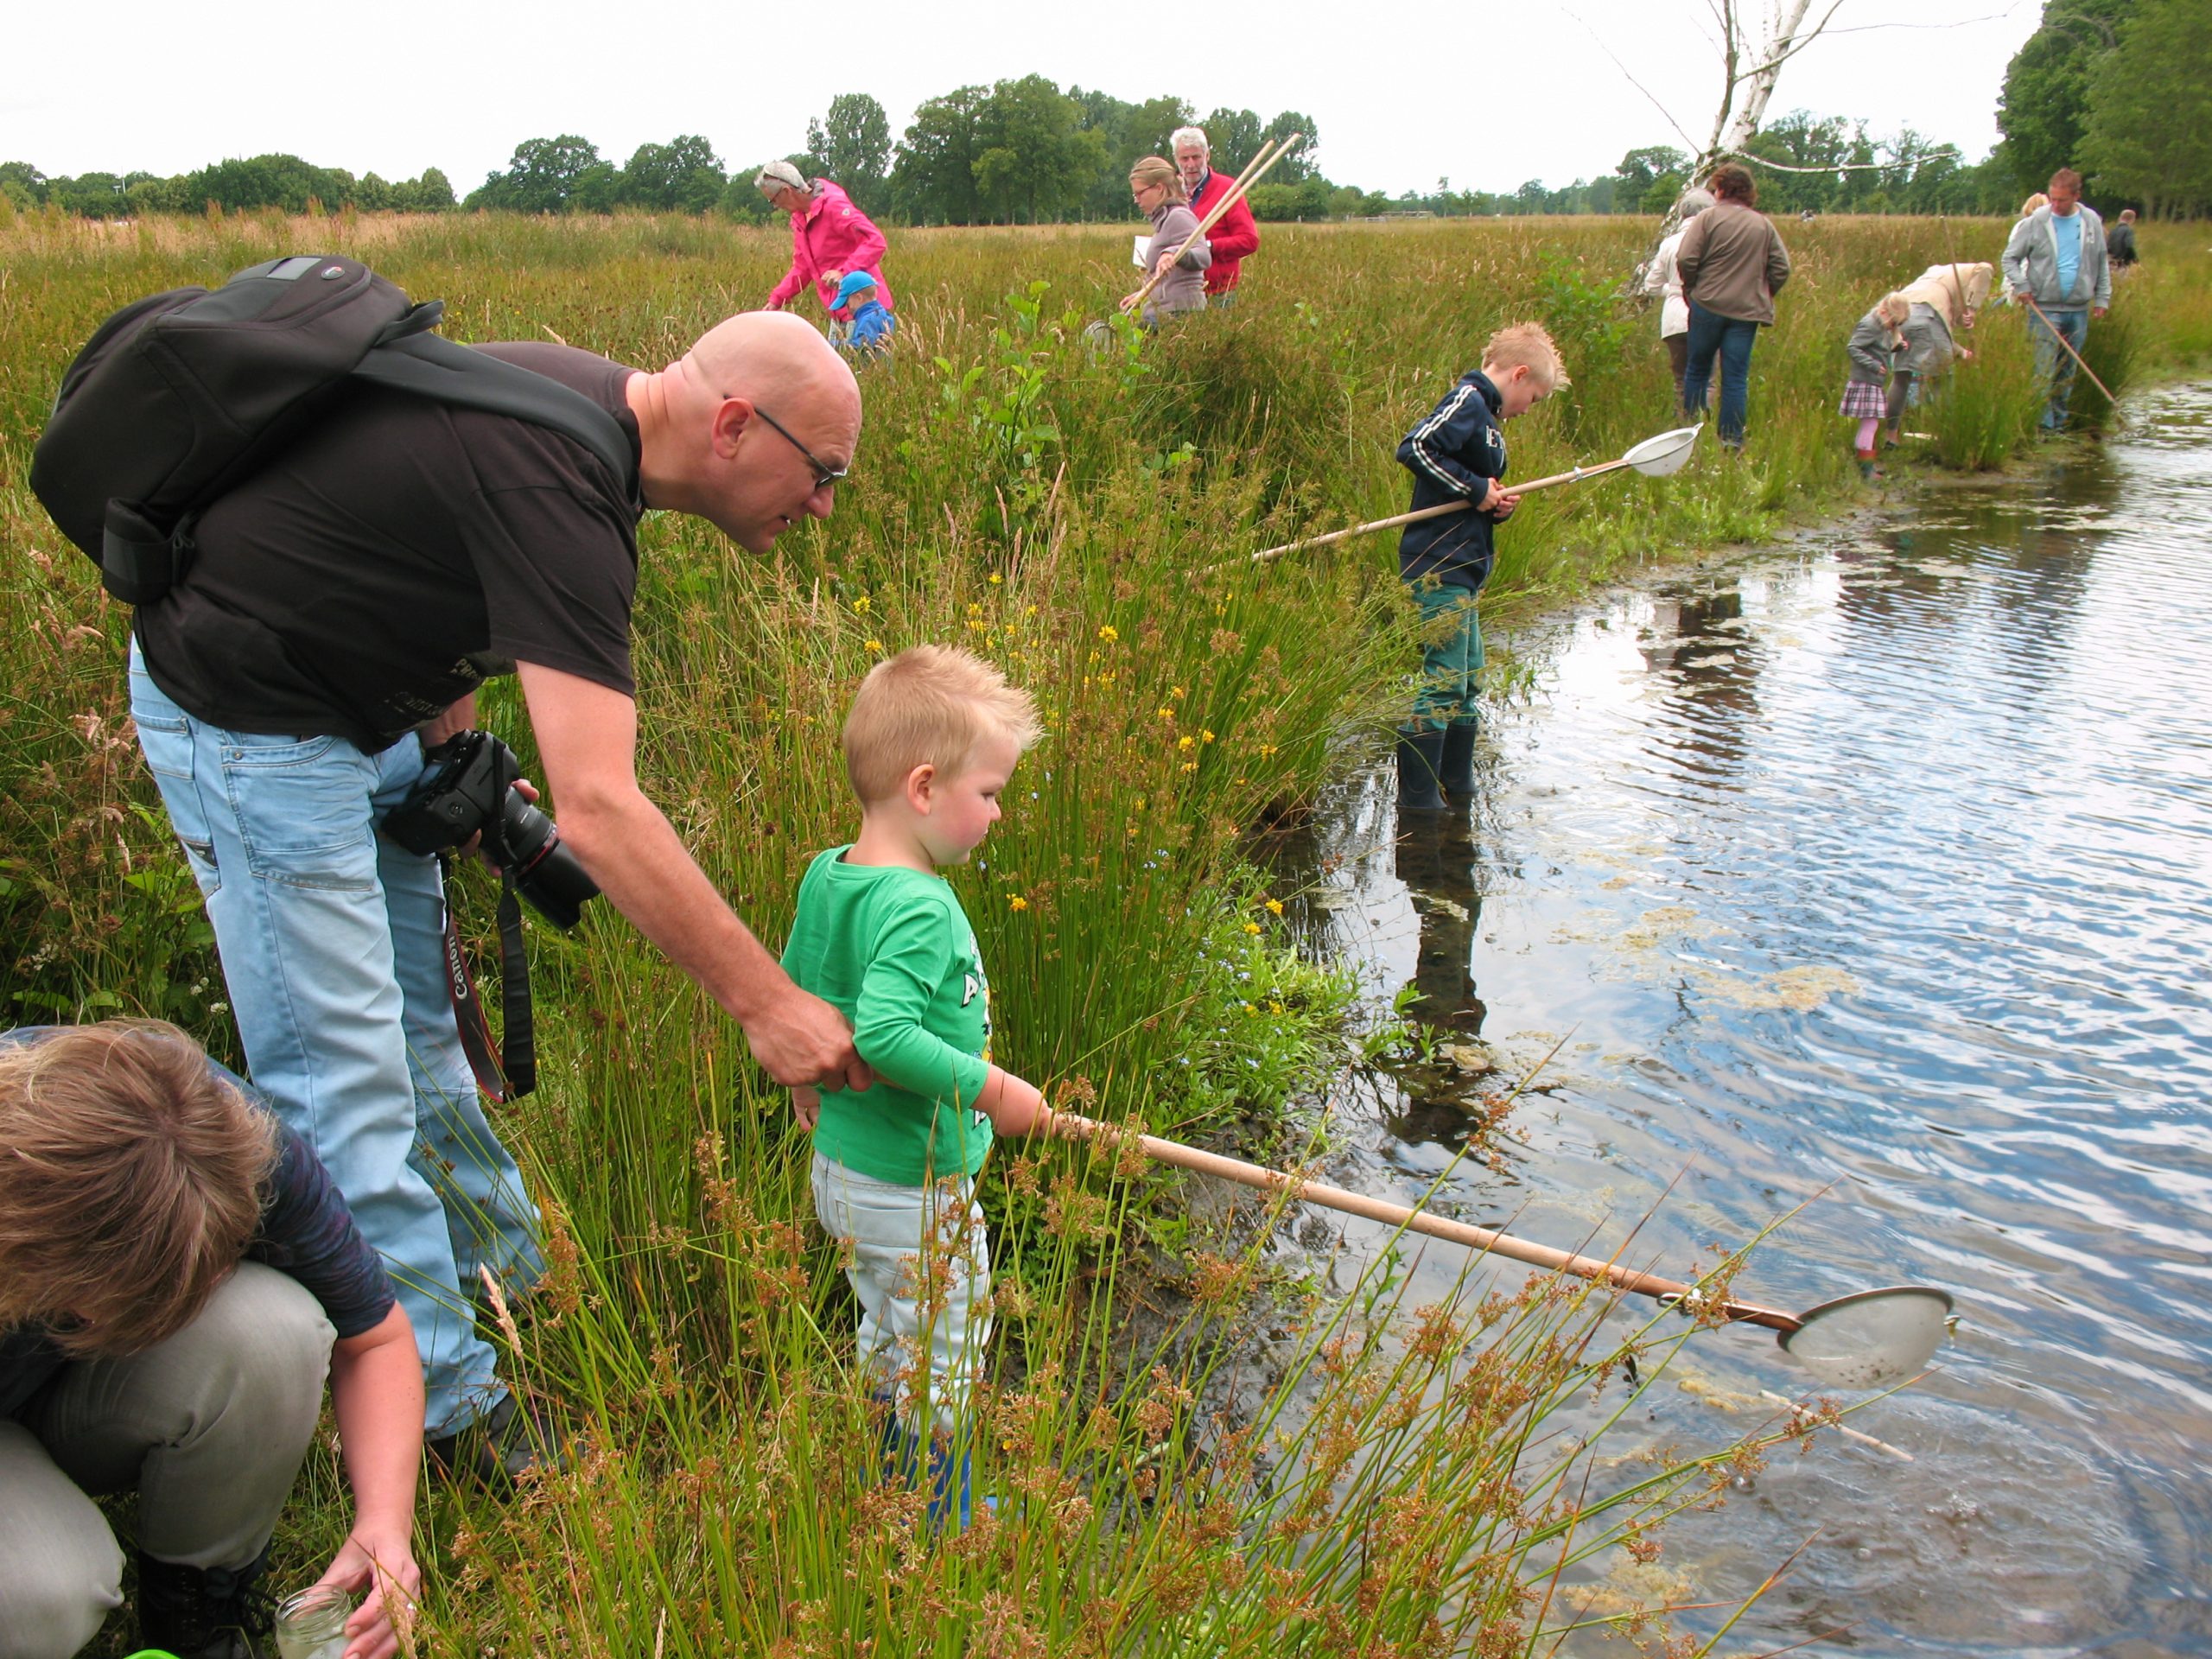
{"points": [[2118, 87]]}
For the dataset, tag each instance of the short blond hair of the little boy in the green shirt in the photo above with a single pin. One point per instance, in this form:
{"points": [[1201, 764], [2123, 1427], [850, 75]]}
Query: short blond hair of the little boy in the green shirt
{"points": [[930, 707]]}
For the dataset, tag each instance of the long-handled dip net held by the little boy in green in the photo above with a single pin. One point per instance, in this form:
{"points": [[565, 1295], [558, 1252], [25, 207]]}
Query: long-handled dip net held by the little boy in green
{"points": [[1866, 1339]]}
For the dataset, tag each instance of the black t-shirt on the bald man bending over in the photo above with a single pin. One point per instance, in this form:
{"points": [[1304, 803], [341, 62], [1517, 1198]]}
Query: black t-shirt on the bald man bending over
{"points": [[397, 556]]}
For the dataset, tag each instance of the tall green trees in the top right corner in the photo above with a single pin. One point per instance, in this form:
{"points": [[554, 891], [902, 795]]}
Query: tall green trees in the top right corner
{"points": [[2120, 90]]}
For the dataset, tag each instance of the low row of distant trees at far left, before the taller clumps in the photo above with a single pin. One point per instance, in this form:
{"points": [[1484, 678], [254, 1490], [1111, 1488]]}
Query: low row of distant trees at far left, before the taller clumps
{"points": [[231, 187]]}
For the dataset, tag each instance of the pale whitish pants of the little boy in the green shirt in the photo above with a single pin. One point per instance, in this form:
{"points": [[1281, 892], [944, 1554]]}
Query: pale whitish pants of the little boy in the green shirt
{"points": [[921, 1269]]}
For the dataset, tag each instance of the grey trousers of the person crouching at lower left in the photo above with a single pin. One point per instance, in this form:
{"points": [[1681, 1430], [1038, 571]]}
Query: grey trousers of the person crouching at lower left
{"points": [[209, 1430]]}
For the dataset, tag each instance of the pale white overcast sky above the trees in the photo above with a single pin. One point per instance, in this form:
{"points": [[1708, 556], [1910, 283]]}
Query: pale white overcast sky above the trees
{"points": [[1488, 96]]}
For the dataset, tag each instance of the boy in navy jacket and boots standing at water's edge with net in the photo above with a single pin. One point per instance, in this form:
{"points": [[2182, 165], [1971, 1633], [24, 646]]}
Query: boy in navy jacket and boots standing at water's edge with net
{"points": [[1459, 457]]}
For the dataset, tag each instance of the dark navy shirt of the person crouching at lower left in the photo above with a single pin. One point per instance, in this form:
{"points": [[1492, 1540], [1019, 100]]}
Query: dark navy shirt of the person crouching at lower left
{"points": [[306, 1233]]}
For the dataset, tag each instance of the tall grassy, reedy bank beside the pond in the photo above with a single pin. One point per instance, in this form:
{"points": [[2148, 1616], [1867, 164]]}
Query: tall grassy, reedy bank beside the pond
{"points": [[1058, 514]]}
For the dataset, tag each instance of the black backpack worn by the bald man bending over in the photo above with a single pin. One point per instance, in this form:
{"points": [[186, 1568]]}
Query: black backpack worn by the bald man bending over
{"points": [[185, 395]]}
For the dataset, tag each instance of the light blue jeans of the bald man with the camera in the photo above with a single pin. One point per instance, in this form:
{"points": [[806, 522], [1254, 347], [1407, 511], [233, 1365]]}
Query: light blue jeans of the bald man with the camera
{"points": [[333, 946]]}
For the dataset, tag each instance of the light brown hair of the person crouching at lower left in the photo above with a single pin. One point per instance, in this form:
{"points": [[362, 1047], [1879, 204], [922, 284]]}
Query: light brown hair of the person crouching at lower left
{"points": [[129, 1185]]}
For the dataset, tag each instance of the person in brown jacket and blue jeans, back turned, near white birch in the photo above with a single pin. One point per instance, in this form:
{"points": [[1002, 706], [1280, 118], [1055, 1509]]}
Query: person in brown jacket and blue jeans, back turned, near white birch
{"points": [[1731, 267]]}
